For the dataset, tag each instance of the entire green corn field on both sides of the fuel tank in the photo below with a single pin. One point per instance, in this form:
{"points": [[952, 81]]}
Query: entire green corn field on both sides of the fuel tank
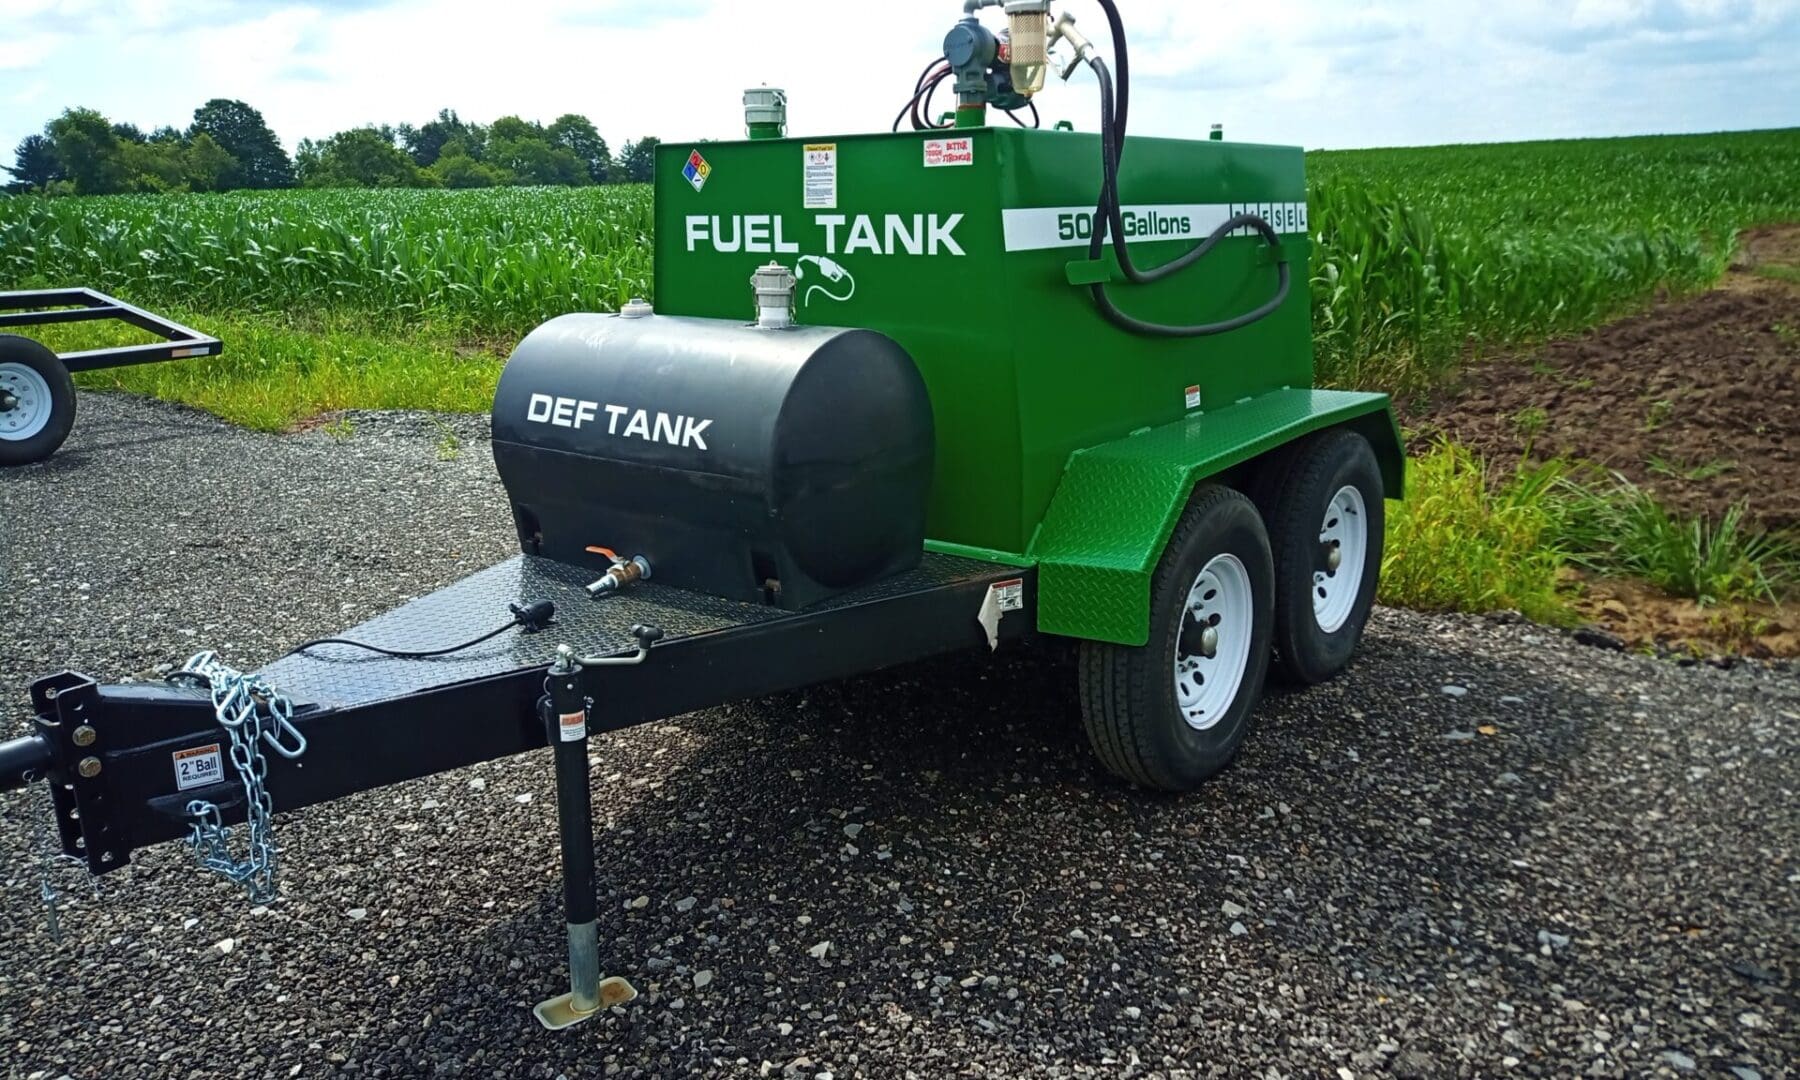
{"points": [[1417, 255]]}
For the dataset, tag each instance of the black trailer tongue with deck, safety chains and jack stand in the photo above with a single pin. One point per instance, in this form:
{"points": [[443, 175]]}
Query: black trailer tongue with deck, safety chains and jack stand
{"points": [[136, 766]]}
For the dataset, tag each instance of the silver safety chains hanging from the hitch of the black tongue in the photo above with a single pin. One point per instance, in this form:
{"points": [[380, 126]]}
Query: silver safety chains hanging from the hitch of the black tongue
{"points": [[253, 714]]}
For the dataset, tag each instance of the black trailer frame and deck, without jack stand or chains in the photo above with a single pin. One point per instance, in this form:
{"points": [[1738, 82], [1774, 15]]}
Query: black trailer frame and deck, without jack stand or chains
{"points": [[109, 751]]}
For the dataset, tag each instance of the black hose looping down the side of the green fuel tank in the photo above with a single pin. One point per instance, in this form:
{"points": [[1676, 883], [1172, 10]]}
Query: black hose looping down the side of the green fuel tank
{"points": [[1110, 217]]}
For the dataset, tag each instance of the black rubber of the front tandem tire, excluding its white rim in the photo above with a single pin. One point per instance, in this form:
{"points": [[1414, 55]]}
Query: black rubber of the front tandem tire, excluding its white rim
{"points": [[1129, 694]]}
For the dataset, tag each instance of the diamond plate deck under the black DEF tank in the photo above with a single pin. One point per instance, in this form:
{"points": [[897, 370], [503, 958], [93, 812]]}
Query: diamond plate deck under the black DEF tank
{"points": [[346, 678]]}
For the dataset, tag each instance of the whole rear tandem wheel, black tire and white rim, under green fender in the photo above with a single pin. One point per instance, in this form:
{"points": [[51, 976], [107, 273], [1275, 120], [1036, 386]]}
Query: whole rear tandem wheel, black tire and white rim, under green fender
{"points": [[1327, 526]]}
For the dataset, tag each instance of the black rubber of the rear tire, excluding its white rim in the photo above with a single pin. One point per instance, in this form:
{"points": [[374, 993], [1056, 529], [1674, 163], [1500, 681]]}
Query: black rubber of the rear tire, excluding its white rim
{"points": [[1295, 508]]}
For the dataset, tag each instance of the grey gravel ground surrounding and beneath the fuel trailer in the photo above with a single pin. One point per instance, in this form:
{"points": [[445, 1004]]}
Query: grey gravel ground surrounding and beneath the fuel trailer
{"points": [[1484, 852]]}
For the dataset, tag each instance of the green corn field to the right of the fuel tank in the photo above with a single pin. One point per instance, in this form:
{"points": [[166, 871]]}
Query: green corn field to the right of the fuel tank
{"points": [[1421, 255]]}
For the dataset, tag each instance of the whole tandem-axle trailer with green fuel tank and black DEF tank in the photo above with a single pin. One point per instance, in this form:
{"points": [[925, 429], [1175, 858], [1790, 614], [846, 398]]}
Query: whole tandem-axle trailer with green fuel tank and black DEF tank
{"points": [[928, 424]]}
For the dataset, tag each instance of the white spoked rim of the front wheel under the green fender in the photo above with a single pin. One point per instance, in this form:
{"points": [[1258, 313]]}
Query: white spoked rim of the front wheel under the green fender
{"points": [[1210, 667]]}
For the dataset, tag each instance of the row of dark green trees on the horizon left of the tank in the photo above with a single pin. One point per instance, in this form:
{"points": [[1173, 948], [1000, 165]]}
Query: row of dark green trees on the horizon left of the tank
{"points": [[229, 147]]}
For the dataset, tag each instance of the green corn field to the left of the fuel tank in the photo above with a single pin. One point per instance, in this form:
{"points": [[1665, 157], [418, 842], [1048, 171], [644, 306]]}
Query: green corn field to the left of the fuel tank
{"points": [[499, 260]]}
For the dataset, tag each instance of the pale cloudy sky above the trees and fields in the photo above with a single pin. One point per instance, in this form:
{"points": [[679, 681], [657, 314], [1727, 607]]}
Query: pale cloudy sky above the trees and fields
{"points": [[1313, 73]]}
